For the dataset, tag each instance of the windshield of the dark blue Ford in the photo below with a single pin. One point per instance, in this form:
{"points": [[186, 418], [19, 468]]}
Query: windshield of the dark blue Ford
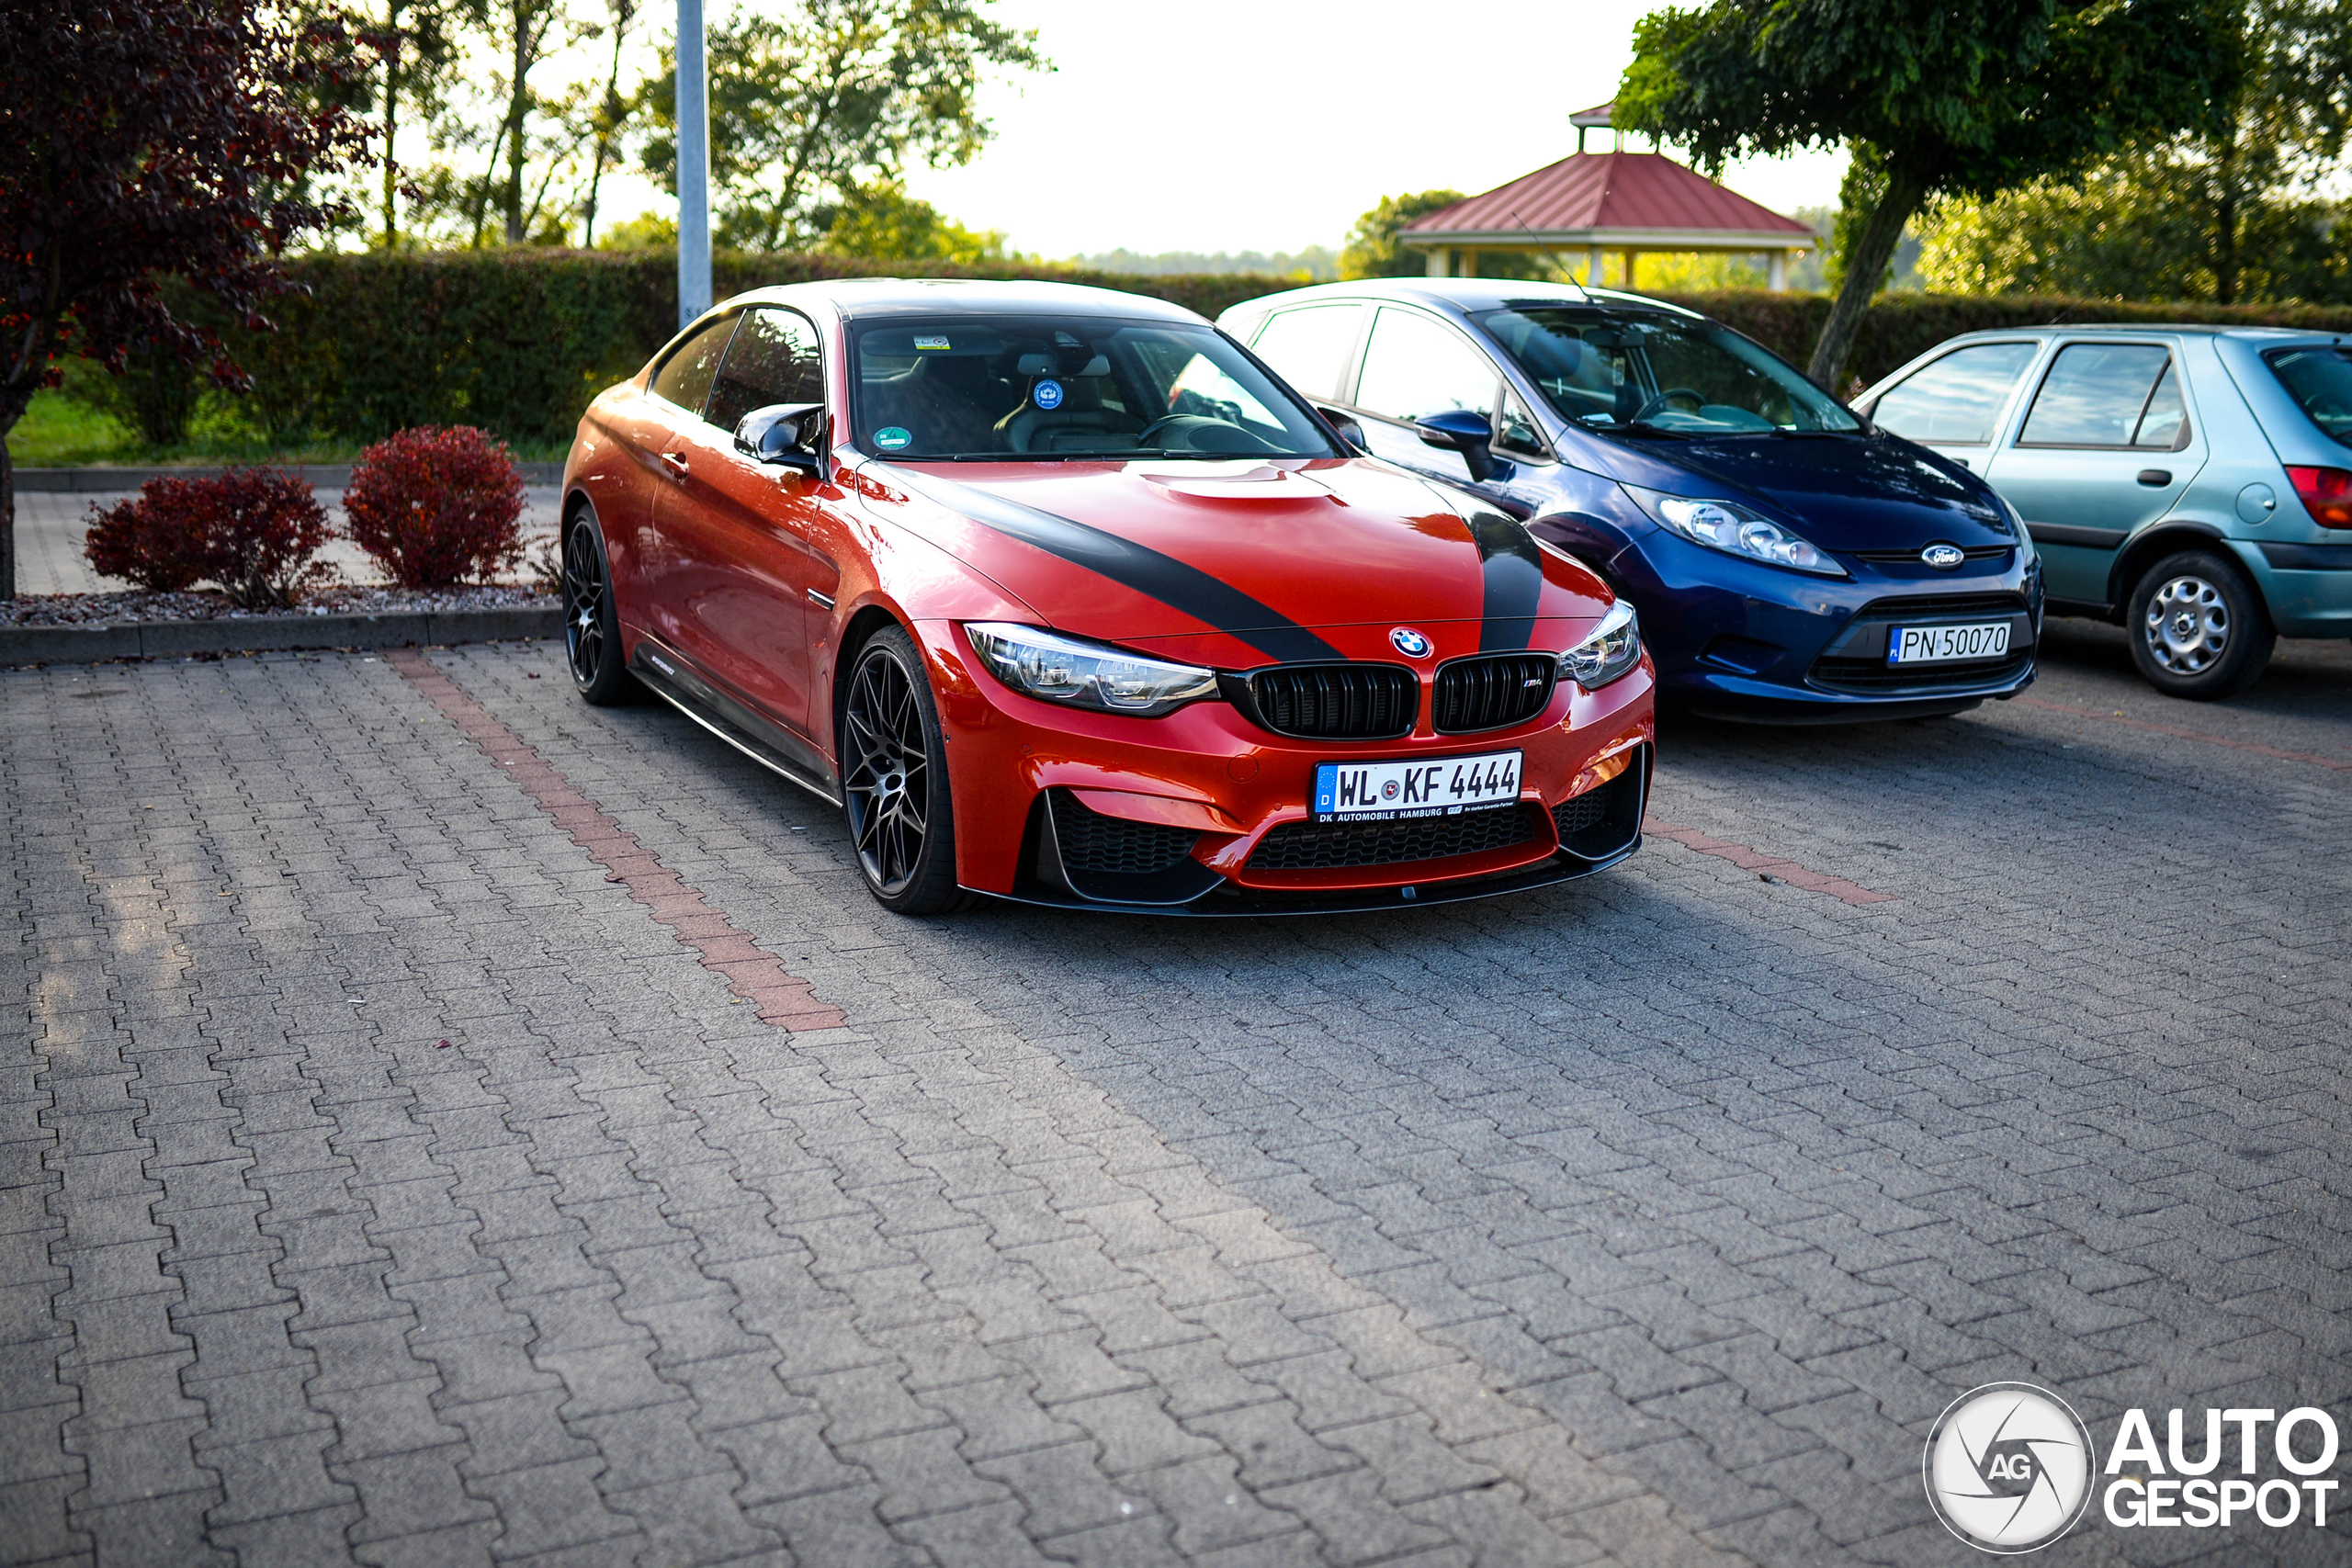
{"points": [[1657, 373]]}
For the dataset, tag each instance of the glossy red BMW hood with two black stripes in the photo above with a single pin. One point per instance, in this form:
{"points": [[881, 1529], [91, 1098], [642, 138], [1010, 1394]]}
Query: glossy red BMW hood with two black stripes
{"points": [[1243, 561]]}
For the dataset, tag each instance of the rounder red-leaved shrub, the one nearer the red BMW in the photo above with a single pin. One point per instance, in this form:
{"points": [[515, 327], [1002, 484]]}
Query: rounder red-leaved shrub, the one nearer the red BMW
{"points": [[436, 504]]}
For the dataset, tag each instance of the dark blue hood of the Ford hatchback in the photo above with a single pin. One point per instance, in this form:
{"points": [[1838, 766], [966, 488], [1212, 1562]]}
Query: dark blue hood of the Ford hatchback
{"points": [[1873, 492]]}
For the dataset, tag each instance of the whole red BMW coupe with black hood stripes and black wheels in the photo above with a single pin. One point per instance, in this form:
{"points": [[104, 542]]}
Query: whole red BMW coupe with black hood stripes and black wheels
{"points": [[1064, 598]]}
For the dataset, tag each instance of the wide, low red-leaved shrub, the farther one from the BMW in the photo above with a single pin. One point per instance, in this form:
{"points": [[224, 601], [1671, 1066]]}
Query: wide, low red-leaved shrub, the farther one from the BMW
{"points": [[250, 530]]}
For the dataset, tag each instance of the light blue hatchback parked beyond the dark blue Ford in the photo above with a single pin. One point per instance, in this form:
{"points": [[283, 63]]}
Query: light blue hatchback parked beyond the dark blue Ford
{"points": [[2191, 483]]}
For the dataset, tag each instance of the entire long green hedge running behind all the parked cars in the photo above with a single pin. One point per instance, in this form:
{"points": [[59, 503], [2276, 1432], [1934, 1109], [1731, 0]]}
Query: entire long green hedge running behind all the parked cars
{"points": [[519, 342]]}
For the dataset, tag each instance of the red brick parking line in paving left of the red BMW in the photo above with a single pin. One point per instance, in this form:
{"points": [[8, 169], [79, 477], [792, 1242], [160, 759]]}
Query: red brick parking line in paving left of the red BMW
{"points": [[751, 972]]}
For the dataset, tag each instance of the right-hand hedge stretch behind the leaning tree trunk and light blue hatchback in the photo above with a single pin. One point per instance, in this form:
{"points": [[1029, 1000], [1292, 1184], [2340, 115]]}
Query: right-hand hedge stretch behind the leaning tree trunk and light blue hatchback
{"points": [[1906, 326]]}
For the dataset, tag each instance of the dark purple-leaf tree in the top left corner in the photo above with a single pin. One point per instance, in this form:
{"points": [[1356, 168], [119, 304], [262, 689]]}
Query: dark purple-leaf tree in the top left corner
{"points": [[145, 140]]}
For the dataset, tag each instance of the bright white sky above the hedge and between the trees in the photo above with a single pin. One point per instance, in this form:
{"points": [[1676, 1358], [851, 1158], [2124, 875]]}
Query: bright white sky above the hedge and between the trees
{"points": [[1224, 126]]}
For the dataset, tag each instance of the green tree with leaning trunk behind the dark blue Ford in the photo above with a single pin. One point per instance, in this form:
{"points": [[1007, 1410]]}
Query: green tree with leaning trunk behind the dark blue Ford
{"points": [[1937, 100]]}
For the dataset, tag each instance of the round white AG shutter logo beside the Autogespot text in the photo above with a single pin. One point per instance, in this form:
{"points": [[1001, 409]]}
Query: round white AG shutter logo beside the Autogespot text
{"points": [[2010, 1468]]}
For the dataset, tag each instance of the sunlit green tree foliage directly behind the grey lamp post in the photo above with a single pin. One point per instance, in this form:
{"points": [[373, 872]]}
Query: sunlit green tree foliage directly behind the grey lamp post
{"points": [[810, 107]]}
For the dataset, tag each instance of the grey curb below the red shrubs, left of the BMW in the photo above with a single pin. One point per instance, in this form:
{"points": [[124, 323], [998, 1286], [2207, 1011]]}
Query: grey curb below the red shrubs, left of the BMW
{"points": [[83, 645]]}
